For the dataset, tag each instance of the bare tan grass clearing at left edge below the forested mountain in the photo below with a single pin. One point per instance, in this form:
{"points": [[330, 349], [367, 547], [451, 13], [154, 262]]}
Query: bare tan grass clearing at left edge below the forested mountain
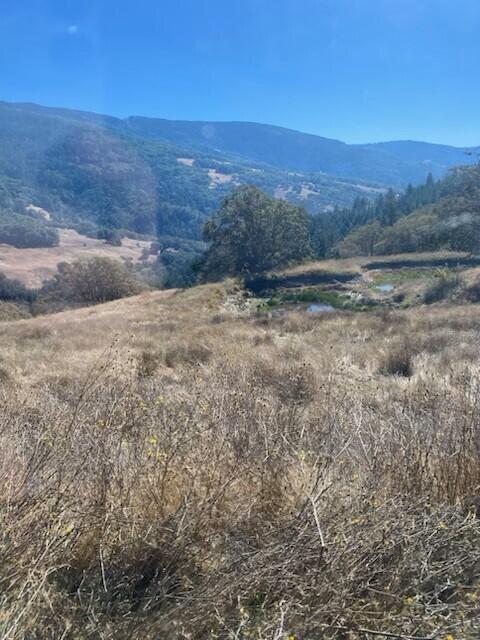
{"points": [[33, 266]]}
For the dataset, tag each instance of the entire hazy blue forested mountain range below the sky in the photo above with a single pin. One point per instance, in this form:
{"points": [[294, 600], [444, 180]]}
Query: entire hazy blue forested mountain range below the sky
{"points": [[165, 178]]}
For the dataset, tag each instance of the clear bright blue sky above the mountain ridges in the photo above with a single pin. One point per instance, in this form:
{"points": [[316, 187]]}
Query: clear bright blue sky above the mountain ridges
{"points": [[357, 70]]}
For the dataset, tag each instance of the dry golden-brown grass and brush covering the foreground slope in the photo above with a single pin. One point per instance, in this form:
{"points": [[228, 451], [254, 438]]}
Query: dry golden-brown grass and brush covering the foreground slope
{"points": [[172, 468]]}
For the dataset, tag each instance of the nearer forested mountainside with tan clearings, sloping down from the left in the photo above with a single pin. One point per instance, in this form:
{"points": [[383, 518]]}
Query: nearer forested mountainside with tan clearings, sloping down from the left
{"points": [[98, 171]]}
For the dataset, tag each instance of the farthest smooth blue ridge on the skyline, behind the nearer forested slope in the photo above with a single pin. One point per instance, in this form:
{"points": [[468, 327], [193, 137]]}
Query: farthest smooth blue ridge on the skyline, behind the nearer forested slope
{"points": [[391, 163]]}
